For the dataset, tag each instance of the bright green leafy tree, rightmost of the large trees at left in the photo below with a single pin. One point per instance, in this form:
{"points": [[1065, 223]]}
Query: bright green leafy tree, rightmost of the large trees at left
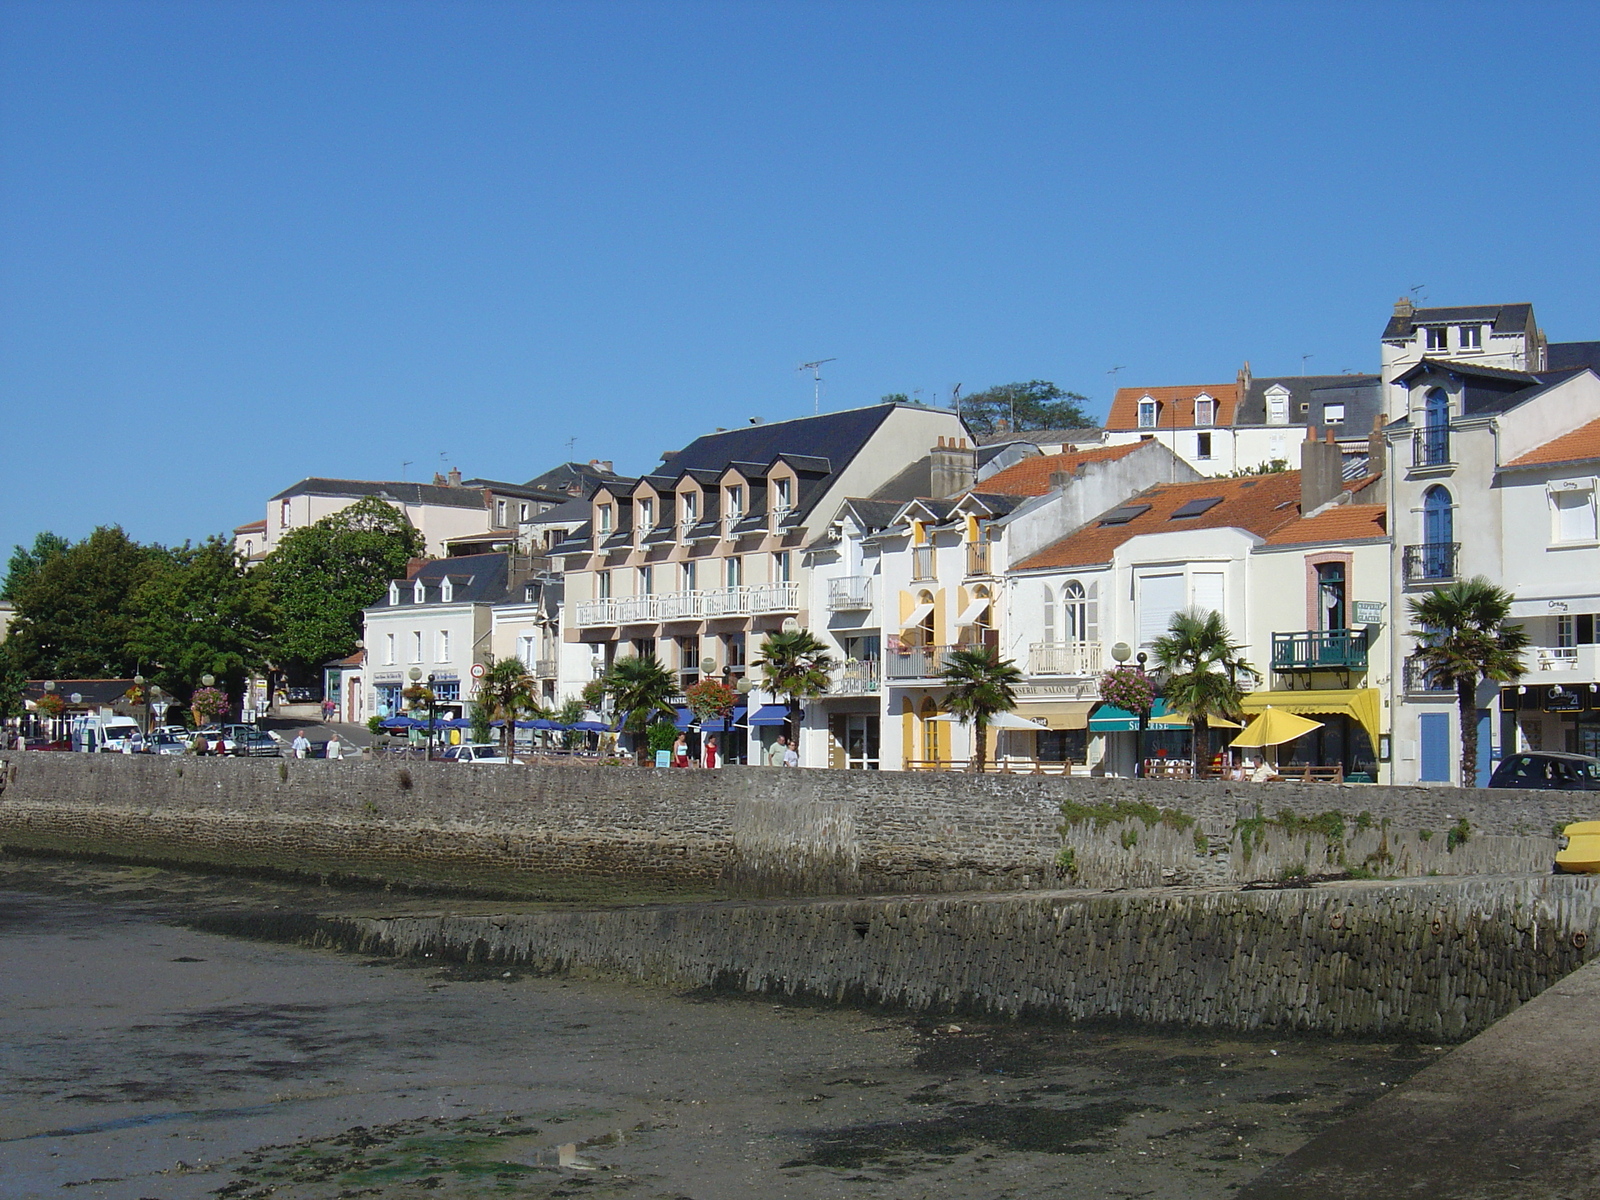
{"points": [[324, 575]]}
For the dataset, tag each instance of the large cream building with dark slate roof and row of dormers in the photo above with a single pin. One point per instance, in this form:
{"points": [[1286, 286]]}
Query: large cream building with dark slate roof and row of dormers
{"points": [[702, 558]]}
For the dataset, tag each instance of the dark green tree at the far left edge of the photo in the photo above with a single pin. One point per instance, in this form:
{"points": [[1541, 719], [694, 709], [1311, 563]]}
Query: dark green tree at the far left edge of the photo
{"points": [[74, 614]]}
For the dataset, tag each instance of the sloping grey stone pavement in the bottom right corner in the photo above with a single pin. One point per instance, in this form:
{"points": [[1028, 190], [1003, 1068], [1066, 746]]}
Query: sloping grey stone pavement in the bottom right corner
{"points": [[1514, 1114]]}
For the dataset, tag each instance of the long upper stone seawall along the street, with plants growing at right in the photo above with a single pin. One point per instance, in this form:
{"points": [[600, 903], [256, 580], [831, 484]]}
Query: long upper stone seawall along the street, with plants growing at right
{"points": [[567, 831]]}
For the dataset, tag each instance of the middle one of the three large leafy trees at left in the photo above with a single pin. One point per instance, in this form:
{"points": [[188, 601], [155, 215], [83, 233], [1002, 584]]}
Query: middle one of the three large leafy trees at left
{"points": [[201, 612]]}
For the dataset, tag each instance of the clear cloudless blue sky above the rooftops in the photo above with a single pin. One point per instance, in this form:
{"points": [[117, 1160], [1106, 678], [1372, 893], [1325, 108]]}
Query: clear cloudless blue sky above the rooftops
{"points": [[242, 244]]}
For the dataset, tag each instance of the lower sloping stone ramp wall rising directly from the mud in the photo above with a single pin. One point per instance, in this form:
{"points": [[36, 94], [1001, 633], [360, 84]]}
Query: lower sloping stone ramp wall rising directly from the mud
{"points": [[1426, 959]]}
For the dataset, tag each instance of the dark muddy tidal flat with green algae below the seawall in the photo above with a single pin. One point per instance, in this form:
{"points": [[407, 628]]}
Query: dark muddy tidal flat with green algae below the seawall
{"points": [[145, 1058]]}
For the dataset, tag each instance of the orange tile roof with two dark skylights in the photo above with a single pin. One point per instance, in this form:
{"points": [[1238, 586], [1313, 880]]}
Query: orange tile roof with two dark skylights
{"points": [[1258, 505]]}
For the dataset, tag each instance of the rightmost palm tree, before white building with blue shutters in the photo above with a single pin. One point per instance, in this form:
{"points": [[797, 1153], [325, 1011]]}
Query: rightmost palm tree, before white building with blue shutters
{"points": [[1463, 638]]}
